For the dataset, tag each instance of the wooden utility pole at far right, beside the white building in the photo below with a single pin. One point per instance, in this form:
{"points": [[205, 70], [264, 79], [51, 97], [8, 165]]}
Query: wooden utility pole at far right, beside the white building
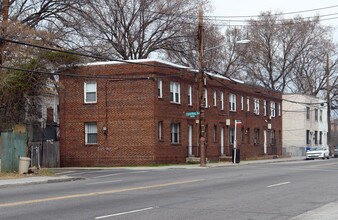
{"points": [[327, 70]]}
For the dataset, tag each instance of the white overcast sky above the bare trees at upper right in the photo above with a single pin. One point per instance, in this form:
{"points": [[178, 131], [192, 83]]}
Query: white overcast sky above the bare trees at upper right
{"points": [[255, 7]]}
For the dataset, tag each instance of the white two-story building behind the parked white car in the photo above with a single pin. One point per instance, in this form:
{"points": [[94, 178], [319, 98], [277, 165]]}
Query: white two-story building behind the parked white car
{"points": [[304, 123]]}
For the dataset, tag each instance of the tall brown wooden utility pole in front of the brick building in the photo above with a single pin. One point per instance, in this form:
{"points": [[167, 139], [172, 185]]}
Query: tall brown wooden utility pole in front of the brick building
{"points": [[201, 87]]}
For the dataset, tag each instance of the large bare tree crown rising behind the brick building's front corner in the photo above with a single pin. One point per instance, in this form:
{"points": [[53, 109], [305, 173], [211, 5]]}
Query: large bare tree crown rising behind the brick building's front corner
{"points": [[128, 29]]}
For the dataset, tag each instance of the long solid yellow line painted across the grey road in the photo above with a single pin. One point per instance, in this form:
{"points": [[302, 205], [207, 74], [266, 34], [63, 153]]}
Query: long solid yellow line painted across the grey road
{"points": [[80, 195]]}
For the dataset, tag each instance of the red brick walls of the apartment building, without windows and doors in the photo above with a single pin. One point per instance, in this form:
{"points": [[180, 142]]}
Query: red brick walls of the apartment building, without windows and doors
{"points": [[131, 110]]}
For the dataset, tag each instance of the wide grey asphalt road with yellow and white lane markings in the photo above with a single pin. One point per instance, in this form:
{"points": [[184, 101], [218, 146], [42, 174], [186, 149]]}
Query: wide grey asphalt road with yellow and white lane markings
{"points": [[286, 190]]}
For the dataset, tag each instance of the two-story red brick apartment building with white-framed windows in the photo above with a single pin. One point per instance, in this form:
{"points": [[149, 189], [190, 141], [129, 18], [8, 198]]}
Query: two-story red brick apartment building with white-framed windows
{"points": [[137, 113]]}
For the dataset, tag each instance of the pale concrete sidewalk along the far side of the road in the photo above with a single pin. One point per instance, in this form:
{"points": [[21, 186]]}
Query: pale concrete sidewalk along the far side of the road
{"points": [[52, 179]]}
